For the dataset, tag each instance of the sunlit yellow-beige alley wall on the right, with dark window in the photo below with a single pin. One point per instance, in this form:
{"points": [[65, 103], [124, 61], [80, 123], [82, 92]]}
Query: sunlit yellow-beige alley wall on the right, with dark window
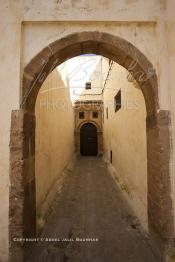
{"points": [[125, 135]]}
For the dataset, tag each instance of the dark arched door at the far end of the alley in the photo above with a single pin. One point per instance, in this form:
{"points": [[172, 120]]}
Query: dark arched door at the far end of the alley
{"points": [[88, 140]]}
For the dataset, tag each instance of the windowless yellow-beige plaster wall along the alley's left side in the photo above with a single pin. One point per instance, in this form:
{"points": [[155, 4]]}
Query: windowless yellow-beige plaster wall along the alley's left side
{"points": [[54, 137]]}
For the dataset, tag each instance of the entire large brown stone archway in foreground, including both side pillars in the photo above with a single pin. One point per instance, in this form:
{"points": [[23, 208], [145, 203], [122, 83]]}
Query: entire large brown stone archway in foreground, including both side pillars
{"points": [[22, 145]]}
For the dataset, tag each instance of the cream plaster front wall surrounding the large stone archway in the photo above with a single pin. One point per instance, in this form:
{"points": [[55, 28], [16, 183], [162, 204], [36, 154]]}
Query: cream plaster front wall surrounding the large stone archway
{"points": [[27, 26]]}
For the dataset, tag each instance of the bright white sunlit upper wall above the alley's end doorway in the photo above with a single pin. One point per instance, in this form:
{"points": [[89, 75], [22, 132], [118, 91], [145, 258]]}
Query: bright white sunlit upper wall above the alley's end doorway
{"points": [[78, 70]]}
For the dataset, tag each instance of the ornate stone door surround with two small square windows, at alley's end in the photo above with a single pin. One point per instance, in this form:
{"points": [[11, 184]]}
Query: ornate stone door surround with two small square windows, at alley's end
{"points": [[88, 112]]}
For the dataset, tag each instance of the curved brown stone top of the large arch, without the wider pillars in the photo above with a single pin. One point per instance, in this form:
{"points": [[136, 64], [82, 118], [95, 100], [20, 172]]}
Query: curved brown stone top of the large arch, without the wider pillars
{"points": [[107, 45]]}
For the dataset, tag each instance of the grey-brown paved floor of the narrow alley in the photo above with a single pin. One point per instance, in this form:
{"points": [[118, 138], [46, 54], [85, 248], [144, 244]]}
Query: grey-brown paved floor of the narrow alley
{"points": [[91, 207]]}
